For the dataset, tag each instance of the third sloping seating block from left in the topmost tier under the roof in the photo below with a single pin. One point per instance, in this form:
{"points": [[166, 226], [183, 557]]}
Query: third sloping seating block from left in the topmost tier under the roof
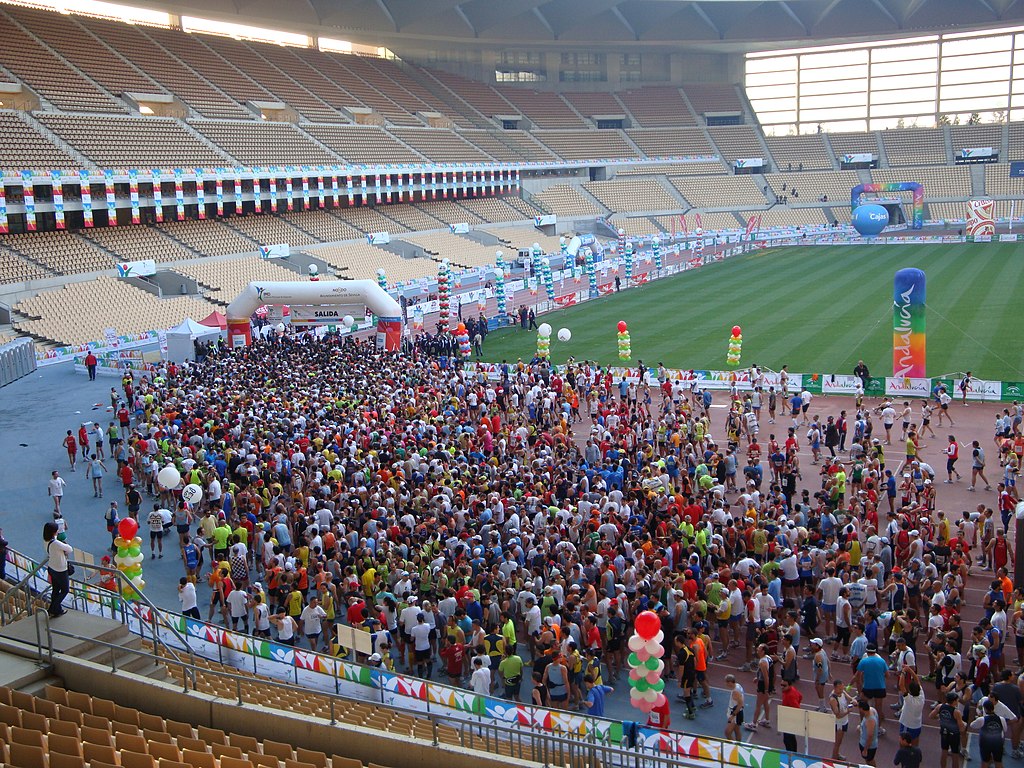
{"points": [[144, 50]]}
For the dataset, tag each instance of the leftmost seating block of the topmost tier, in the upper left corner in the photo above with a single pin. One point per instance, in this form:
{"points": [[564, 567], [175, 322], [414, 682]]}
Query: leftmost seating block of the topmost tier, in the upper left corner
{"points": [[48, 75]]}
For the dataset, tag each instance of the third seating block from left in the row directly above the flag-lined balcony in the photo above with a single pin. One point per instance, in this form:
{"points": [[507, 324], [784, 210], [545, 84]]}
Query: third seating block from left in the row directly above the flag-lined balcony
{"points": [[264, 144]]}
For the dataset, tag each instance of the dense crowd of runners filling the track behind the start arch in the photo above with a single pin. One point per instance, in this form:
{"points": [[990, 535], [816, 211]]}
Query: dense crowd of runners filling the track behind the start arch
{"points": [[492, 531]]}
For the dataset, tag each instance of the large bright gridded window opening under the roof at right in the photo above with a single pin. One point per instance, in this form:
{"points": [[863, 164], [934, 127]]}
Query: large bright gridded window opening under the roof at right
{"points": [[916, 82]]}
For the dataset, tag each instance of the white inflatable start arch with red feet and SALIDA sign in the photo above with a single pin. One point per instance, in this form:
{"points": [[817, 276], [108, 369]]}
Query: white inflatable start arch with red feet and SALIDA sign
{"points": [[343, 297]]}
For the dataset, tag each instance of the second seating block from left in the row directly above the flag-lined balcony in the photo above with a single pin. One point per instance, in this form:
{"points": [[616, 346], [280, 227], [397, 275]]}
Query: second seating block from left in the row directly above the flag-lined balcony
{"points": [[124, 142]]}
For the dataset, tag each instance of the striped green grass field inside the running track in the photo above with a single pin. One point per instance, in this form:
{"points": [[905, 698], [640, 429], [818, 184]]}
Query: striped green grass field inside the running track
{"points": [[816, 309]]}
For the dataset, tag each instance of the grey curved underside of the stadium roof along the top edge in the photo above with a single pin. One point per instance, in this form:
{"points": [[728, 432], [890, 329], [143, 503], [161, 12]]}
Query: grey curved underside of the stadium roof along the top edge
{"points": [[709, 25]]}
